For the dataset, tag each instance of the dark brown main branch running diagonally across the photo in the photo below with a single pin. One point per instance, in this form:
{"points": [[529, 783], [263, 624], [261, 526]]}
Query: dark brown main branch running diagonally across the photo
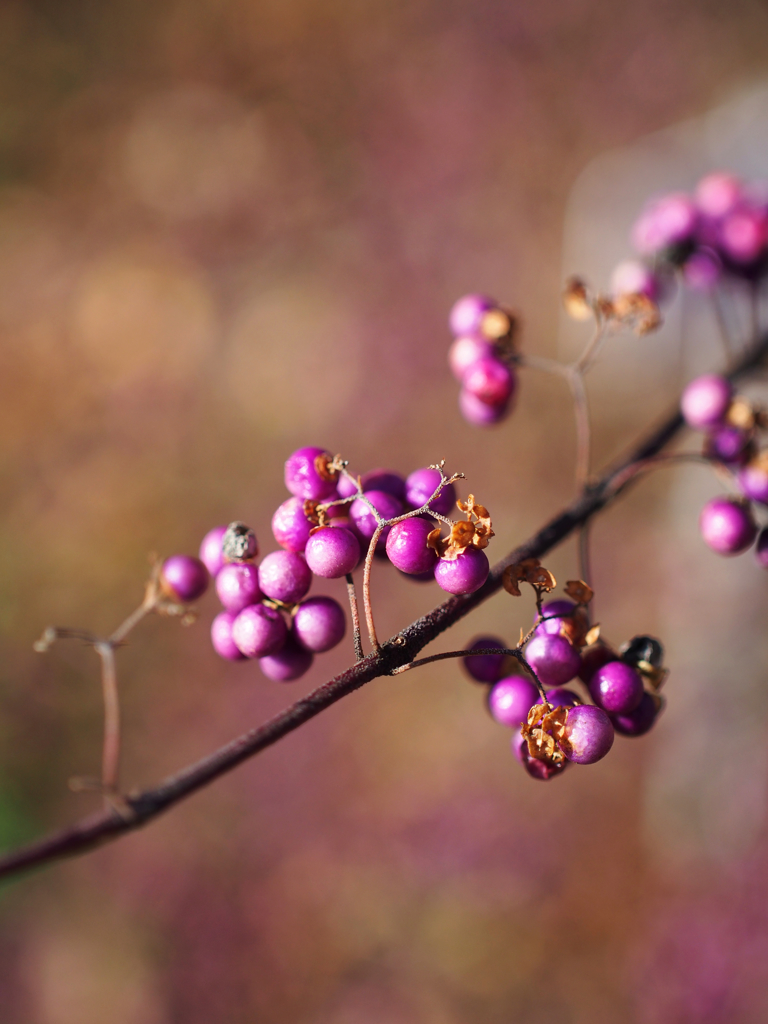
{"points": [[396, 653]]}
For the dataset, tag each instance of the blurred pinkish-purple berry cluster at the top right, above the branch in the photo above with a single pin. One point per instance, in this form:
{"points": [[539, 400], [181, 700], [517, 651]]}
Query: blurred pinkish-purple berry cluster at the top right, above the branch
{"points": [[720, 230]]}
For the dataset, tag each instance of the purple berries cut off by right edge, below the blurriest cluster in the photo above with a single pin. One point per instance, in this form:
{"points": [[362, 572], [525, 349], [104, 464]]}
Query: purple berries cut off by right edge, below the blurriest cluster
{"points": [[732, 425]]}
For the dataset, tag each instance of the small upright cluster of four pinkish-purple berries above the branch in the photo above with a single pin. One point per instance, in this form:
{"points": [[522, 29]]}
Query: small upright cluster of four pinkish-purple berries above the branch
{"points": [[481, 357]]}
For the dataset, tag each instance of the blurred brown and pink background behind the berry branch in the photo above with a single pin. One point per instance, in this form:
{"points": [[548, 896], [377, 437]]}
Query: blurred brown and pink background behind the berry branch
{"points": [[232, 229]]}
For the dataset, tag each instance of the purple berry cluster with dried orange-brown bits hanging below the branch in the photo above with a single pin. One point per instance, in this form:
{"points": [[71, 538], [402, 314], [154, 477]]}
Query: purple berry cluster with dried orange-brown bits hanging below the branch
{"points": [[622, 687]]}
